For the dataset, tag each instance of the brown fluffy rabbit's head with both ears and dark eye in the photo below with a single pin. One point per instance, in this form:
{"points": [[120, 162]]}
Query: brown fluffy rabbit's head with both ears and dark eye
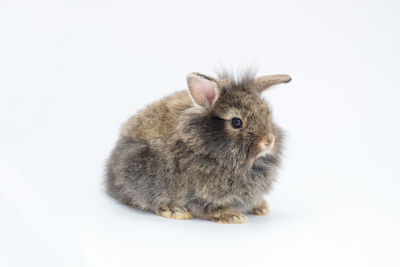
{"points": [[230, 119]]}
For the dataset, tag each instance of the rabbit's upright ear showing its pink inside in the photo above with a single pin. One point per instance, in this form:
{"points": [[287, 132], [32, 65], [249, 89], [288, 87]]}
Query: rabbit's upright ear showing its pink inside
{"points": [[203, 89]]}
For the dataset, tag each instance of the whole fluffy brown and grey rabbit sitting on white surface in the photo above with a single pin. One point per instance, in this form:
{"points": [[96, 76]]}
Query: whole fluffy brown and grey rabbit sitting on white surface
{"points": [[210, 152]]}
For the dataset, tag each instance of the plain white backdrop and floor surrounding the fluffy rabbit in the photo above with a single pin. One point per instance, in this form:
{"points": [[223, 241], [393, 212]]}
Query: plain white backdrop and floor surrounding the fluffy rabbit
{"points": [[72, 71]]}
